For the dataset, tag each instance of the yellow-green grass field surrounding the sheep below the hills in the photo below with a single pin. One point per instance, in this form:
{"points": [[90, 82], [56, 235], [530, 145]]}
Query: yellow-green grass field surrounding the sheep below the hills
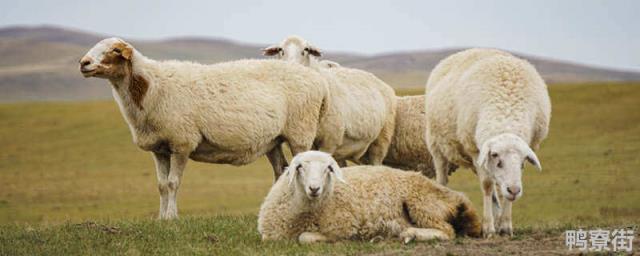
{"points": [[71, 180]]}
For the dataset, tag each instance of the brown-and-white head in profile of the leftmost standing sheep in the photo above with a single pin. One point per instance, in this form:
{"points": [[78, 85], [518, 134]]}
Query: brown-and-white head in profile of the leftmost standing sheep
{"points": [[107, 59]]}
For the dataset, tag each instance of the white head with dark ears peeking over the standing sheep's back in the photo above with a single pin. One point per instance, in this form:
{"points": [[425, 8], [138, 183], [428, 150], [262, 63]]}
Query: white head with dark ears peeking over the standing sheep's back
{"points": [[294, 49]]}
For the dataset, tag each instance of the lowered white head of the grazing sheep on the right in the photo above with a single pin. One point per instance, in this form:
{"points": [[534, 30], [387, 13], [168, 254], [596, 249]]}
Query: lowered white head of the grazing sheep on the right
{"points": [[503, 158]]}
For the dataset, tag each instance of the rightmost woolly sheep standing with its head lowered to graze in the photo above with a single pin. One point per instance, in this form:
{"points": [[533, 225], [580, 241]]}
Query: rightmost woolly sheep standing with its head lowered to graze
{"points": [[487, 110]]}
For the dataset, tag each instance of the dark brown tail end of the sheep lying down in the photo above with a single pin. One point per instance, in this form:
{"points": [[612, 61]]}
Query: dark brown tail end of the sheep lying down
{"points": [[466, 221]]}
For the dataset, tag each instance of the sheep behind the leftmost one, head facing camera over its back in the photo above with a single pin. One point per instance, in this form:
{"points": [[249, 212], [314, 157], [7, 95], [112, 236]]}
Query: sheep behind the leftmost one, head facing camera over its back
{"points": [[367, 104]]}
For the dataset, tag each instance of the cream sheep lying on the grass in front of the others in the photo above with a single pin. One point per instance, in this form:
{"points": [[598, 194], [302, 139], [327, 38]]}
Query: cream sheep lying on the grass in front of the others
{"points": [[316, 201]]}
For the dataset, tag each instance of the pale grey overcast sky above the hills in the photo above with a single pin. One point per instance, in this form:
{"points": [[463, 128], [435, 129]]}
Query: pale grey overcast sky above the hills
{"points": [[601, 33]]}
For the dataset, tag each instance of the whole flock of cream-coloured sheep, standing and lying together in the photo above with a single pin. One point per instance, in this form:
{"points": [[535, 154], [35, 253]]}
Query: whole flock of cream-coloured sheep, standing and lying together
{"points": [[484, 109]]}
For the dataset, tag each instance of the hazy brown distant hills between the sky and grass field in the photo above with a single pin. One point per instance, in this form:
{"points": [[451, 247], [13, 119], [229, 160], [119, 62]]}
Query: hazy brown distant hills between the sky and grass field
{"points": [[40, 63]]}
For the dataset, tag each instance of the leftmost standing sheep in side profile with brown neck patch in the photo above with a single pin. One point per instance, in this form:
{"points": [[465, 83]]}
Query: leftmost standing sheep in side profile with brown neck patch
{"points": [[230, 113]]}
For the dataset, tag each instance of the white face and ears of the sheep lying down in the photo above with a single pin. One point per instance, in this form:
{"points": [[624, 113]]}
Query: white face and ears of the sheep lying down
{"points": [[313, 173]]}
